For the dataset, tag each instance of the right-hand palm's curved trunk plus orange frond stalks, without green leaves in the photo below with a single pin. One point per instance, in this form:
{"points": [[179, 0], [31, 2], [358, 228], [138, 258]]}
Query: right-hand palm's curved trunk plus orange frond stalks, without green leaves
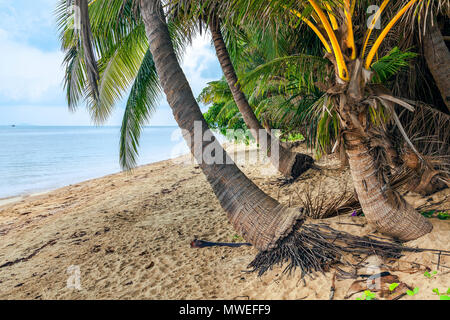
{"points": [[383, 207]]}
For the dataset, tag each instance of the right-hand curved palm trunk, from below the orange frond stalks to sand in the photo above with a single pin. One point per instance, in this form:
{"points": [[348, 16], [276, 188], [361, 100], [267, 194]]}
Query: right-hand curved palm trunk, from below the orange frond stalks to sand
{"points": [[384, 208]]}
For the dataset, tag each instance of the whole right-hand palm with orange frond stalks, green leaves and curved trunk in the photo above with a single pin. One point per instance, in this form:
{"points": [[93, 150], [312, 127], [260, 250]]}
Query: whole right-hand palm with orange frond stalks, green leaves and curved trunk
{"points": [[359, 105]]}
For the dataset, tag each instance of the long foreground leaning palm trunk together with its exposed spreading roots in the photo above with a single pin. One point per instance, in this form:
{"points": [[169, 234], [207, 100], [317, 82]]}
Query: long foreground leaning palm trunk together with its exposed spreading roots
{"points": [[278, 232]]}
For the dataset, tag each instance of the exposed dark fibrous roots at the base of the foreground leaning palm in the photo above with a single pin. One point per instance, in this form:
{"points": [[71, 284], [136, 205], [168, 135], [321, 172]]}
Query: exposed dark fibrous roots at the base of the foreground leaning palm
{"points": [[317, 247]]}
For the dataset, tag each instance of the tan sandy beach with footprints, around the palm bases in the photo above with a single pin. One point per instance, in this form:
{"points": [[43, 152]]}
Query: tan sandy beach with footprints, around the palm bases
{"points": [[129, 236]]}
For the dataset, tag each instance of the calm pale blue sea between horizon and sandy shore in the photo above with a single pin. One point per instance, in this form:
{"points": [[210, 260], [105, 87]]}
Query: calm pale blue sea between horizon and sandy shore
{"points": [[34, 159]]}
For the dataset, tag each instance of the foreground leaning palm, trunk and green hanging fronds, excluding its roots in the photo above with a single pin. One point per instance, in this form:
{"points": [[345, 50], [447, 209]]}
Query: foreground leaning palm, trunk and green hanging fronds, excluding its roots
{"points": [[258, 217]]}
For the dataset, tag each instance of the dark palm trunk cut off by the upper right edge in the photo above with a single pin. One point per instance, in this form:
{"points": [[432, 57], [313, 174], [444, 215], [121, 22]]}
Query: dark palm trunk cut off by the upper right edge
{"points": [[437, 57]]}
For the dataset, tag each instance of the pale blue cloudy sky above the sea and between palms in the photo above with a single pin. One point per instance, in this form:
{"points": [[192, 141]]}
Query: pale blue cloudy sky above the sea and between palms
{"points": [[31, 73]]}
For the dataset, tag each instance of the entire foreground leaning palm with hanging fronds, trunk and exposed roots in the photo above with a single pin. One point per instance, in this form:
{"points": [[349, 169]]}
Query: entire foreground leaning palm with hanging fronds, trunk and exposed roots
{"points": [[277, 231]]}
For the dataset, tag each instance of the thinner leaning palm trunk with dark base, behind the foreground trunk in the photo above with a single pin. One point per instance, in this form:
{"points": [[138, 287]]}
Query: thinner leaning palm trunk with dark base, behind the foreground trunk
{"points": [[290, 164]]}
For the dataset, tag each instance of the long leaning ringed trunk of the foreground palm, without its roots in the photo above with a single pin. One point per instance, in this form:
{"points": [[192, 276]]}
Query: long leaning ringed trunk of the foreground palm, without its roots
{"points": [[260, 219]]}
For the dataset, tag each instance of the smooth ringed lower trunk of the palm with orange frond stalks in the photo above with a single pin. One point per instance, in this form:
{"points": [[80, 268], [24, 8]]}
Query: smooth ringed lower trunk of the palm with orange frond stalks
{"points": [[384, 208]]}
